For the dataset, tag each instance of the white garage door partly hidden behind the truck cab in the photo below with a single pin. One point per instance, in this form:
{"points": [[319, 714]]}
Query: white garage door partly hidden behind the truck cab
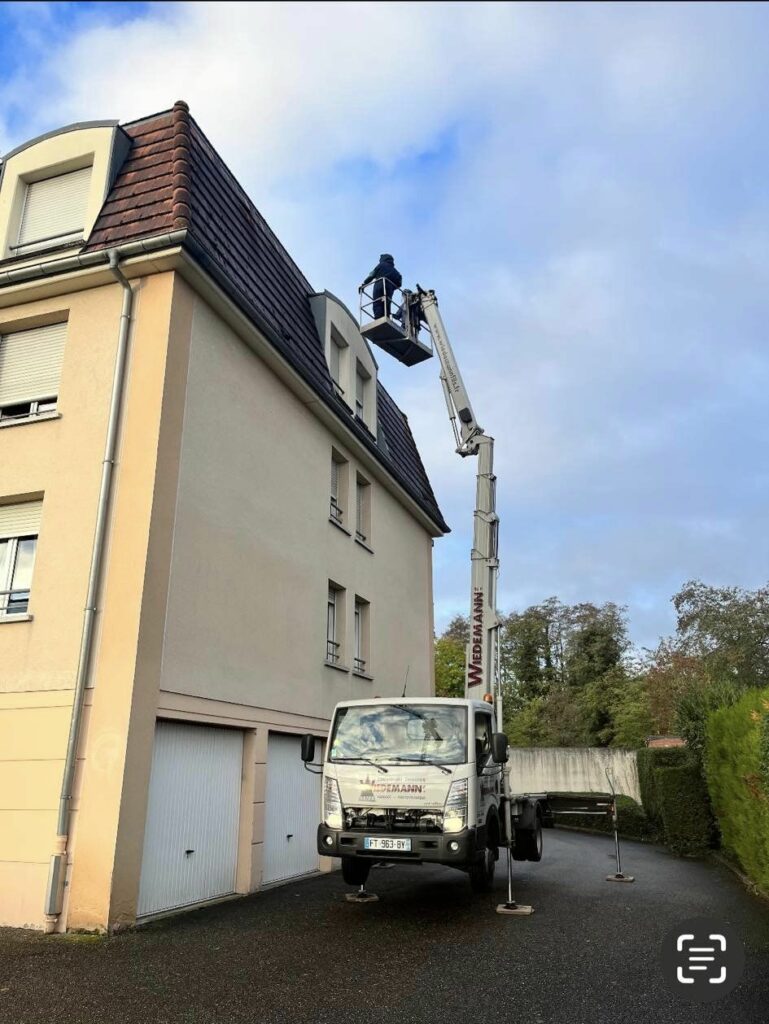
{"points": [[293, 813]]}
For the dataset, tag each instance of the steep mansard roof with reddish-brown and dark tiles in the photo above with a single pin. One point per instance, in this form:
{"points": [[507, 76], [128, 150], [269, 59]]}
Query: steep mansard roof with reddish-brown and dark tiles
{"points": [[174, 180]]}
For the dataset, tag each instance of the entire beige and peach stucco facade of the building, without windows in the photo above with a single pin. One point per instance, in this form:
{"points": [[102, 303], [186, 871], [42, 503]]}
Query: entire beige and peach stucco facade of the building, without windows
{"points": [[212, 603]]}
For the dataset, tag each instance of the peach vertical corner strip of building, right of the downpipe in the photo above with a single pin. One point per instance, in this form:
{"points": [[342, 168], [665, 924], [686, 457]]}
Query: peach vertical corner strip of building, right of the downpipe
{"points": [[112, 798]]}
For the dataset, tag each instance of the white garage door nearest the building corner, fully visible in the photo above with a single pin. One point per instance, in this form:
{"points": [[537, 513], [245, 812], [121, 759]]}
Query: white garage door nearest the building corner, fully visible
{"points": [[191, 839]]}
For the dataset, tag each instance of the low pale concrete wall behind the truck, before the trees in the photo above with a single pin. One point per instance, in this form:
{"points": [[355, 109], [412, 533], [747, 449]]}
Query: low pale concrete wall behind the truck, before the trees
{"points": [[573, 770]]}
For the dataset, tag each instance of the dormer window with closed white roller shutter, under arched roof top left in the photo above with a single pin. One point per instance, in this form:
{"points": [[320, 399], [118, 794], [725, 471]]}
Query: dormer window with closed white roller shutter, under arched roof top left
{"points": [[54, 211]]}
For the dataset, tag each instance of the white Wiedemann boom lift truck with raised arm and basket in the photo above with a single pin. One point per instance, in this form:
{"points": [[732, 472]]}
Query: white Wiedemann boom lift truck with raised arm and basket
{"points": [[423, 780]]}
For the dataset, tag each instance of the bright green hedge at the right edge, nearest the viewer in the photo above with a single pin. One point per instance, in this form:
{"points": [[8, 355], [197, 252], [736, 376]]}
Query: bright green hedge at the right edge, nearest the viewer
{"points": [[737, 759]]}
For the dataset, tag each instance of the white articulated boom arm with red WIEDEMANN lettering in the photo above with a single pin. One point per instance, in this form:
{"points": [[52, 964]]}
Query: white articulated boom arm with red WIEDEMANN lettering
{"points": [[483, 652]]}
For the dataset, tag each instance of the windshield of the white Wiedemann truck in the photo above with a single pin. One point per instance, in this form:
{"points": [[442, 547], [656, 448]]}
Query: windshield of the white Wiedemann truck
{"points": [[401, 733]]}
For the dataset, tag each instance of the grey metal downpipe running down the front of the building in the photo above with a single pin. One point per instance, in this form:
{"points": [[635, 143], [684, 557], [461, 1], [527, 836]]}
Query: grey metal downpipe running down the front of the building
{"points": [[58, 870]]}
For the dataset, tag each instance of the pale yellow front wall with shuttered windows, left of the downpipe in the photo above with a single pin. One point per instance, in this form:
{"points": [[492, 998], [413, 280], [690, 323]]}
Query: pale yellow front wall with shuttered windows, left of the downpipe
{"points": [[61, 461]]}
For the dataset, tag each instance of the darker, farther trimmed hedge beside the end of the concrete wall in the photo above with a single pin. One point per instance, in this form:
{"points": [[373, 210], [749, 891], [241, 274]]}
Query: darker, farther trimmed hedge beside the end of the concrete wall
{"points": [[675, 798]]}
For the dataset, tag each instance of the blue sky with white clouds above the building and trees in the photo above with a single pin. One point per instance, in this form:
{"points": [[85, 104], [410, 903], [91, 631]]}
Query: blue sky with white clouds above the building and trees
{"points": [[585, 187]]}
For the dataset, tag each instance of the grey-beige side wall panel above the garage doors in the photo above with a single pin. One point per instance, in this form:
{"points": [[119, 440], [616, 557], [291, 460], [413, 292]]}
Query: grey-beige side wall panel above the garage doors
{"points": [[254, 549]]}
